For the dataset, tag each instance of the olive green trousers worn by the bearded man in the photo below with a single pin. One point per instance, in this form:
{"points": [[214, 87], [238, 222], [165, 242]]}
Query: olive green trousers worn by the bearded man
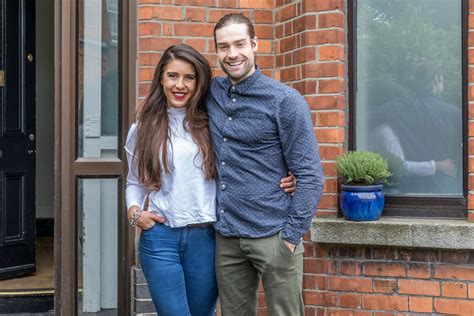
{"points": [[241, 262]]}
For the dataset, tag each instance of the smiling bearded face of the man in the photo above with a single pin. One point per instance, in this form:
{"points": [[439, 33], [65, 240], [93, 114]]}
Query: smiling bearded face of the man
{"points": [[236, 51]]}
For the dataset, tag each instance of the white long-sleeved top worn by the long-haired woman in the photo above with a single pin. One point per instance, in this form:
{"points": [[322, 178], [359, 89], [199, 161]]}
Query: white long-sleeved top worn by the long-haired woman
{"points": [[186, 197]]}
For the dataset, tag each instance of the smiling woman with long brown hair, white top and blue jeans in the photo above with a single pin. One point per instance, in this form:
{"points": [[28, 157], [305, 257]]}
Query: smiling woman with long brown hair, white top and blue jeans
{"points": [[171, 161]]}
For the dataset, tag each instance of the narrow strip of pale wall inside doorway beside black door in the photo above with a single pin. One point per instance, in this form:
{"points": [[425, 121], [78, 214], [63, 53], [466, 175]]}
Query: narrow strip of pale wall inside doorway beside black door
{"points": [[44, 108]]}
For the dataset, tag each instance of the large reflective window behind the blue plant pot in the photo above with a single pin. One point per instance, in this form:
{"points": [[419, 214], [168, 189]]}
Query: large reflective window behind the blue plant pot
{"points": [[407, 97]]}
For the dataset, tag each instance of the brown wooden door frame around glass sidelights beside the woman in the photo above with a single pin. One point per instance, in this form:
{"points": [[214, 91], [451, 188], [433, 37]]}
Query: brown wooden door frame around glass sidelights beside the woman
{"points": [[68, 168]]}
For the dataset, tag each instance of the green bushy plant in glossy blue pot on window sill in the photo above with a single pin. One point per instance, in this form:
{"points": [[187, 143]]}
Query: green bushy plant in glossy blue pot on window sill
{"points": [[364, 174]]}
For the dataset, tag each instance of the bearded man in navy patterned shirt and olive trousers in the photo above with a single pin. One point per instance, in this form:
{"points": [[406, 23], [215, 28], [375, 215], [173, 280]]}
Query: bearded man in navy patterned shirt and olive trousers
{"points": [[260, 129]]}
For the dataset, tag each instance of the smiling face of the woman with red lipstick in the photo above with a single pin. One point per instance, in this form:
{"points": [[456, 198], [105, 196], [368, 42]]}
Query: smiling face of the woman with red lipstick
{"points": [[179, 83]]}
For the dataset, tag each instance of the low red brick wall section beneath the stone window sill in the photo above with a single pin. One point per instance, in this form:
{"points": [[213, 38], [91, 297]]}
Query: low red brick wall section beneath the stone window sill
{"points": [[342, 280]]}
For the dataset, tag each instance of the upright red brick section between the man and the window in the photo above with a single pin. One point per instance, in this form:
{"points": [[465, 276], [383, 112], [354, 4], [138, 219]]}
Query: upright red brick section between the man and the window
{"points": [[309, 49]]}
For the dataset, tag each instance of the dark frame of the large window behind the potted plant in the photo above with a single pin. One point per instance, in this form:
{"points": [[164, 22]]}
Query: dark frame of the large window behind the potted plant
{"points": [[408, 206]]}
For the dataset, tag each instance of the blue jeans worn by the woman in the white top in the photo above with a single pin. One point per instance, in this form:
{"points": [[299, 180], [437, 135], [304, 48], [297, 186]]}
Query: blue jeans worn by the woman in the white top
{"points": [[178, 264]]}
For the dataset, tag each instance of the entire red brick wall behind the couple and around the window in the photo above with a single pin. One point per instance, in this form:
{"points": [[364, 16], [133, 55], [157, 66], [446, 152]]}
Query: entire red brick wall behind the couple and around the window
{"points": [[303, 43]]}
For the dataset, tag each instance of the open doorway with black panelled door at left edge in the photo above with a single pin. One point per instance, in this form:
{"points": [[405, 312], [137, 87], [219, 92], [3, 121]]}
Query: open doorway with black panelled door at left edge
{"points": [[27, 155]]}
